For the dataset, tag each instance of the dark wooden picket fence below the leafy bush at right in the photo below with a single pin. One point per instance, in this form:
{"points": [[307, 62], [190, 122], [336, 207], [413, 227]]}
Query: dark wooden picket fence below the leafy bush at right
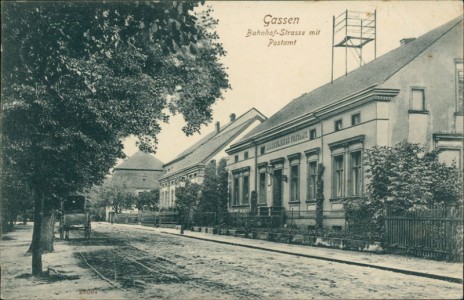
{"points": [[434, 233]]}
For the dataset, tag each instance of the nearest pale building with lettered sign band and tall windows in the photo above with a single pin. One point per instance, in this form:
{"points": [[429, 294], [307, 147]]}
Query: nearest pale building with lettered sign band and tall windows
{"points": [[413, 93]]}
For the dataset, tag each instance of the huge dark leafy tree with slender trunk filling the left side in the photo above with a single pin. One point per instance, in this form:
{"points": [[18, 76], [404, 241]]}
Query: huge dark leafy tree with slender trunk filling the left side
{"points": [[78, 77]]}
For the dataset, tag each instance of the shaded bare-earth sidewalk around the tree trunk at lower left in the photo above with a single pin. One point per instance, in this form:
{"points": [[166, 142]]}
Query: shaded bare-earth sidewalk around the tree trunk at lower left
{"points": [[67, 278]]}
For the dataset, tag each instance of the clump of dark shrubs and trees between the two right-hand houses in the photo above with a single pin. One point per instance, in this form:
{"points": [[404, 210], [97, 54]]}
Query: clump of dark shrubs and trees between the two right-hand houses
{"points": [[211, 196]]}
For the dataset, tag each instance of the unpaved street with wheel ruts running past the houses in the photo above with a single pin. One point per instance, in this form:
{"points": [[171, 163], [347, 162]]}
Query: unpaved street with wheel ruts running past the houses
{"points": [[149, 264]]}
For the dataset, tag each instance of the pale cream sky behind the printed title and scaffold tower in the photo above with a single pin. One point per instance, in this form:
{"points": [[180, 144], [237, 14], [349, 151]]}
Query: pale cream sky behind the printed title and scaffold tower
{"points": [[269, 77]]}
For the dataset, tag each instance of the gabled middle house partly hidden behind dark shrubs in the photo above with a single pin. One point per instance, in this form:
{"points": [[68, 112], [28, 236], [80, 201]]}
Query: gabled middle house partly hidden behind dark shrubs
{"points": [[190, 164]]}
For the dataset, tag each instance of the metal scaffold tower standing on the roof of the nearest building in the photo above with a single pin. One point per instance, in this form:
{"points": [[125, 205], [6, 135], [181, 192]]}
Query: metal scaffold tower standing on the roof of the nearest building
{"points": [[353, 30]]}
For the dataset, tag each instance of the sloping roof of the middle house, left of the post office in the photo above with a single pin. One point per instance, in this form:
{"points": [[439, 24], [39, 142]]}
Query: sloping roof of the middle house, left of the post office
{"points": [[212, 143]]}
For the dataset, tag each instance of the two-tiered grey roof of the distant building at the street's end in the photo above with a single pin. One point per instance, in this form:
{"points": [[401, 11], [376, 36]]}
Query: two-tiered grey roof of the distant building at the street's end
{"points": [[138, 173]]}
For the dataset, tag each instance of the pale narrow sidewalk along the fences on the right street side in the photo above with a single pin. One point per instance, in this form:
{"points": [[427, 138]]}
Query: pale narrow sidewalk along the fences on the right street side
{"points": [[448, 271]]}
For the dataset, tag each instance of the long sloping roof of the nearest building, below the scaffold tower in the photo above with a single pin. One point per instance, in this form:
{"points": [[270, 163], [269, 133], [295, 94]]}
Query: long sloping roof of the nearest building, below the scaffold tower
{"points": [[373, 73]]}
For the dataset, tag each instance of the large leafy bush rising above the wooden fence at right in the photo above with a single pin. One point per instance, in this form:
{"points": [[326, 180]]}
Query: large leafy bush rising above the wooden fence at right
{"points": [[404, 178]]}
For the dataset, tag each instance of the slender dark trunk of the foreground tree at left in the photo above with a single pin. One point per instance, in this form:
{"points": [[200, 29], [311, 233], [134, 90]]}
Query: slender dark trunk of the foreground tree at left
{"points": [[36, 246]]}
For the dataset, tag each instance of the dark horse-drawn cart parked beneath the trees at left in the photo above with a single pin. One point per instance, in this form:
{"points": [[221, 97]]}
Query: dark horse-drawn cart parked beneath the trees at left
{"points": [[74, 216]]}
